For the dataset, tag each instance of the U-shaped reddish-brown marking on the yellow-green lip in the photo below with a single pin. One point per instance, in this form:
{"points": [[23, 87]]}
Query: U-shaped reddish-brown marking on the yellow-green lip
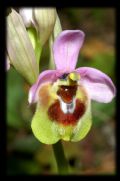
{"points": [[56, 114]]}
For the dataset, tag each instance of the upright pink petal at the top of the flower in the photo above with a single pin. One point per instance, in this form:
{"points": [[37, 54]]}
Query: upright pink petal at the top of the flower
{"points": [[66, 49]]}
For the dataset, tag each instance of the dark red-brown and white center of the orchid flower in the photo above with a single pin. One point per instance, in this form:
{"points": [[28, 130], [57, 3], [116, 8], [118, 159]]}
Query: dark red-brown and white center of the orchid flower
{"points": [[68, 108]]}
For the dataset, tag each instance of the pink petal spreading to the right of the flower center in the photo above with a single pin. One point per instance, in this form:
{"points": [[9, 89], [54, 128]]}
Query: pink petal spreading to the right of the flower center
{"points": [[99, 86]]}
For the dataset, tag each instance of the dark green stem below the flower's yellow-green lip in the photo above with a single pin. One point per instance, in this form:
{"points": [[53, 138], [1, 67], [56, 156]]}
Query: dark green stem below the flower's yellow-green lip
{"points": [[60, 158]]}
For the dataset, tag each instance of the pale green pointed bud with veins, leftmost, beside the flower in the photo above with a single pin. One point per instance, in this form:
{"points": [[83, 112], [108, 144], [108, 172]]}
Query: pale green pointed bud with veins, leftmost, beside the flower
{"points": [[19, 48]]}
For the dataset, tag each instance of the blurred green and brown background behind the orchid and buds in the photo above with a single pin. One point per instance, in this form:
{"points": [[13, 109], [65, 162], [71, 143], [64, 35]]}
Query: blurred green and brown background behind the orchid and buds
{"points": [[96, 153]]}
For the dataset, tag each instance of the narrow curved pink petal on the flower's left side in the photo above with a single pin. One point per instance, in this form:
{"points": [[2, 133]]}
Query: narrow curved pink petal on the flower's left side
{"points": [[45, 76]]}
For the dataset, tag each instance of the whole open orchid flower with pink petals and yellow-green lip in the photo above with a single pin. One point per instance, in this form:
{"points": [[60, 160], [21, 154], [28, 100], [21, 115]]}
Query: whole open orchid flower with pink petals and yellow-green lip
{"points": [[64, 95]]}
